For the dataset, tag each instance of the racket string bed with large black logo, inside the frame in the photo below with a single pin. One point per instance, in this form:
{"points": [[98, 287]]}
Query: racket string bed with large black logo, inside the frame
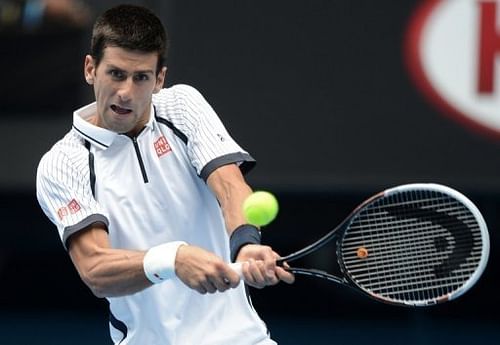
{"points": [[420, 245]]}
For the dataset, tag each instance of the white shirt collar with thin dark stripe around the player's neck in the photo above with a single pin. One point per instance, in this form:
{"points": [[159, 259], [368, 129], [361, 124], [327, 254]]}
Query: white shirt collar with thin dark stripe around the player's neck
{"points": [[101, 137]]}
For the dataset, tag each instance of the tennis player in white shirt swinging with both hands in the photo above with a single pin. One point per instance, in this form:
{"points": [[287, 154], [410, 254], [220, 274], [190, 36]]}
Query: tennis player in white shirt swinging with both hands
{"points": [[146, 192]]}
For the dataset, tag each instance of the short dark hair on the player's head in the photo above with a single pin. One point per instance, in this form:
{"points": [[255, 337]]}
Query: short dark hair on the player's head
{"points": [[130, 27]]}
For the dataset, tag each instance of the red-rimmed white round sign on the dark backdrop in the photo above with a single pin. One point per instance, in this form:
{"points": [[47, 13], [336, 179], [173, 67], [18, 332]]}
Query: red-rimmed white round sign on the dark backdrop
{"points": [[452, 50]]}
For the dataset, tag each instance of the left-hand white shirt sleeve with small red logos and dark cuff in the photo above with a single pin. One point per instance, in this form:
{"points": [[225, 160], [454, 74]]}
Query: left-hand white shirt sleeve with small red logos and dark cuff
{"points": [[64, 193]]}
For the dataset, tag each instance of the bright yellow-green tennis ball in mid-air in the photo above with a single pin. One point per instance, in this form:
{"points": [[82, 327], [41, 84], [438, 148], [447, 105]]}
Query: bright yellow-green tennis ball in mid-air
{"points": [[260, 208]]}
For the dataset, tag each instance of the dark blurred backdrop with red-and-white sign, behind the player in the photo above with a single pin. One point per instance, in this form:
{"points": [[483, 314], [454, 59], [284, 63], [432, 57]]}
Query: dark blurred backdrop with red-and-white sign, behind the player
{"points": [[331, 97]]}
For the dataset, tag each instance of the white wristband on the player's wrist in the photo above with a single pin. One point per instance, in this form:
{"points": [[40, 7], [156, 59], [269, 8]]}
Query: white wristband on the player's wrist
{"points": [[159, 261]]}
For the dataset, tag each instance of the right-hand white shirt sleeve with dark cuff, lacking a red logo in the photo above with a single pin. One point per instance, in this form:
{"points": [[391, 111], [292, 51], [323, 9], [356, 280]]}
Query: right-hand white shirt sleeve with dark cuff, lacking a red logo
{"points": [[209, 143]]}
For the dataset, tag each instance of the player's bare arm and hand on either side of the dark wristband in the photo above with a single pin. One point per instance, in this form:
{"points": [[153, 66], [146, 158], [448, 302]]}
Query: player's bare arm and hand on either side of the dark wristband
{"points": [[259, 261]]}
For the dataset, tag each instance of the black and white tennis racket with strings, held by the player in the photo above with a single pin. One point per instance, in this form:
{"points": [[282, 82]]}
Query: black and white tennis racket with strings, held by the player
{"points": [[413, 245]]}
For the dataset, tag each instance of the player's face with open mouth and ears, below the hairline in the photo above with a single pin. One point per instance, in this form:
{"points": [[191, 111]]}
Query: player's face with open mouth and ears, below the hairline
{"points": [[124, 82]]}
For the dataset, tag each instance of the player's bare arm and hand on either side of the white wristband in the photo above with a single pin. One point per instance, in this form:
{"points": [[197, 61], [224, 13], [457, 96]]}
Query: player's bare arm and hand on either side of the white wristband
{"points": [[110, 272]]}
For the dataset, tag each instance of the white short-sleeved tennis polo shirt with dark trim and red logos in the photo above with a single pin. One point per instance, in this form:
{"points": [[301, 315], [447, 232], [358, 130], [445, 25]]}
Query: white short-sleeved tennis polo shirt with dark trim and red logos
{"points": [[150, 190]]}
